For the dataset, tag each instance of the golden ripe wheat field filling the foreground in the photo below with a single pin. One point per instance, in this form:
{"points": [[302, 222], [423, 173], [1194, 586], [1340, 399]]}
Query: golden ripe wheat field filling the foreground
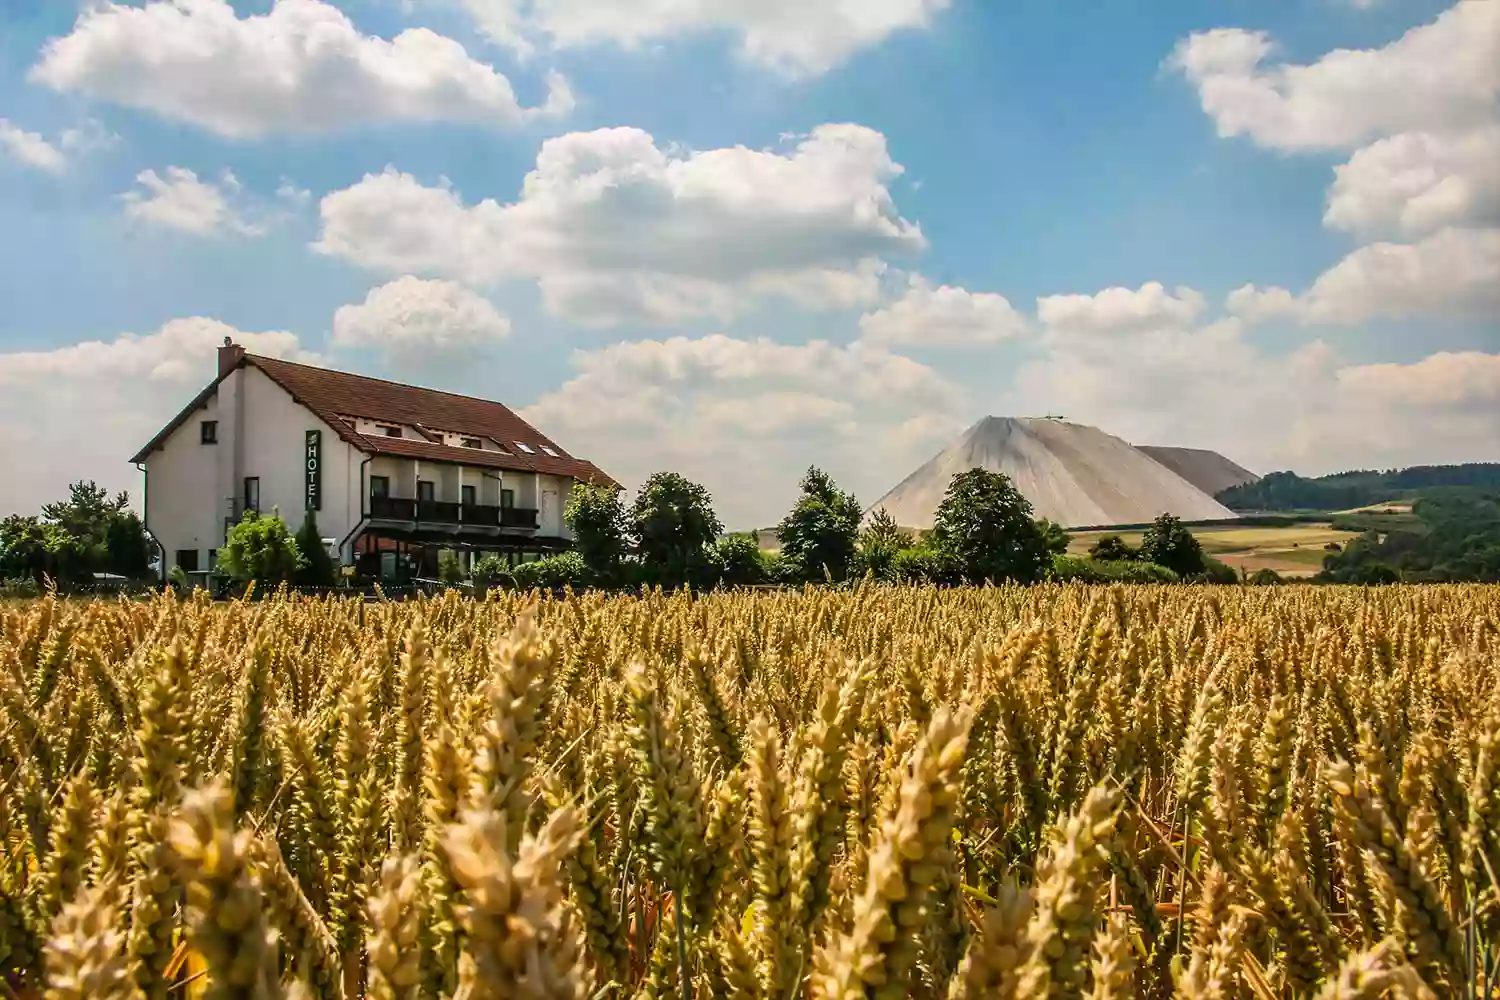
{"points": [[1003, 792]]}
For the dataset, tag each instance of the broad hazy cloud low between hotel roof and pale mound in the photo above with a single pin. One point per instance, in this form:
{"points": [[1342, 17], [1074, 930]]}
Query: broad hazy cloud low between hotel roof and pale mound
{"points": [[737, 413]]}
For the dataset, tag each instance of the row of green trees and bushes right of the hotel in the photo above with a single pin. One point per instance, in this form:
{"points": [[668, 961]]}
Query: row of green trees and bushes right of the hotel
{"points": [[985, 531]]}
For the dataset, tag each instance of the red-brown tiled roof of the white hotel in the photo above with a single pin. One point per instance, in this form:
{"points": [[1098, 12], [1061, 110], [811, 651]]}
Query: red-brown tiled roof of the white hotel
{"points": [[337, 395]]}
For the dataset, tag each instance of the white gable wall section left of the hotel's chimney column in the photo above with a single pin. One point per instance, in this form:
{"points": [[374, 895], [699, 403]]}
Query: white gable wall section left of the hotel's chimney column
{"points": [[184, 509]]}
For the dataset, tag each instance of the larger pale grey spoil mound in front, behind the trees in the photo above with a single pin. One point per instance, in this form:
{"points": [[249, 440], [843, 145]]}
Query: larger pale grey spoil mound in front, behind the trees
{"points": [[1073, 475]]}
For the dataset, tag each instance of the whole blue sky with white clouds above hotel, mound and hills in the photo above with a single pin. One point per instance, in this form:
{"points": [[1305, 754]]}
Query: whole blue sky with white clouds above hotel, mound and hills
{"points": [[767, 235]]}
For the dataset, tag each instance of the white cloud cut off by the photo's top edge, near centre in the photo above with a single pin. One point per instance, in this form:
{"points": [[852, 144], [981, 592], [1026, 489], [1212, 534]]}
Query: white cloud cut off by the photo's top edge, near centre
{"points": [[791, 37]]}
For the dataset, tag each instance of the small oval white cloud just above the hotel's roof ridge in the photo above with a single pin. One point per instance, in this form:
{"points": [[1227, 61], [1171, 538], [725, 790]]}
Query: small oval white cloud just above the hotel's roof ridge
{"points": [[413, 320]]}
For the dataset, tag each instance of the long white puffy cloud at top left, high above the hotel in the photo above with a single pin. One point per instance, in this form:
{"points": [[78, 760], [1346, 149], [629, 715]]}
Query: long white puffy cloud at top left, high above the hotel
{"points": [[302, 67]]}
